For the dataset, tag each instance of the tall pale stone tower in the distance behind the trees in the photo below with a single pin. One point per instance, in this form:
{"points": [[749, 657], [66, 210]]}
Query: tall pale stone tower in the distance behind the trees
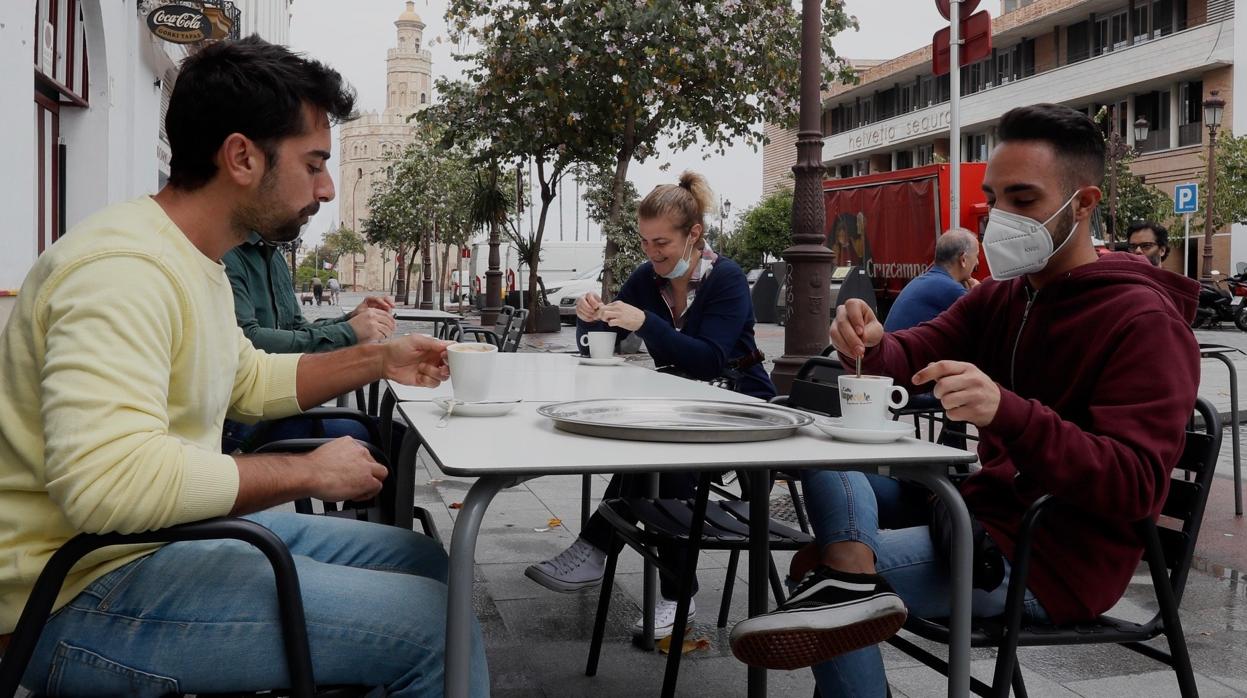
{"points": [[371, 141]]}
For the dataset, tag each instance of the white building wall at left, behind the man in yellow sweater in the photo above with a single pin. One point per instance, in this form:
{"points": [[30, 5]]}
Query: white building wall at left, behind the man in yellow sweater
{"points": [[92, 134]]}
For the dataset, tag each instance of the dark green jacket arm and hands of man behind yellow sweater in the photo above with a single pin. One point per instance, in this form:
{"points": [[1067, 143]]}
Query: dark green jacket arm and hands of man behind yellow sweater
{"points": [[269, 312]]}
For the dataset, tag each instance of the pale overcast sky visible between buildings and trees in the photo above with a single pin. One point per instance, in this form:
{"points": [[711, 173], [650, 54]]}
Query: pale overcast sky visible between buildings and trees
{"points": [[355, 38]]}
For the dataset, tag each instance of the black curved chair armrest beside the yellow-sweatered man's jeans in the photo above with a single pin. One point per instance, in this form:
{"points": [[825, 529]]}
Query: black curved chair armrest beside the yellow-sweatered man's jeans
{"points": [[39, 606]]}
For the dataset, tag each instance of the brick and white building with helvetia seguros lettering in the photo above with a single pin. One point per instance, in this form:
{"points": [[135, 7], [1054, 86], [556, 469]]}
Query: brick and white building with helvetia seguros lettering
{"points": [[1152, 59]]}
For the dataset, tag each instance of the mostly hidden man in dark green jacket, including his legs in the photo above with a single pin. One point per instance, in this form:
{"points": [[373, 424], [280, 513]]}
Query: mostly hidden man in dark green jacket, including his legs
{"points": [[269, 313]]}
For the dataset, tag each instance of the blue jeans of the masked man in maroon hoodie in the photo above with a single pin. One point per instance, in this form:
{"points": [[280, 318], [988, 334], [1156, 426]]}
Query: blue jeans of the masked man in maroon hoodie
{"points": [[891, 518]]}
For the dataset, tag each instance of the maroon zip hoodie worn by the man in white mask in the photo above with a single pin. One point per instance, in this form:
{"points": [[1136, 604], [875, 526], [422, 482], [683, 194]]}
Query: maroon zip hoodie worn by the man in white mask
{"points": [[1098, 376]]}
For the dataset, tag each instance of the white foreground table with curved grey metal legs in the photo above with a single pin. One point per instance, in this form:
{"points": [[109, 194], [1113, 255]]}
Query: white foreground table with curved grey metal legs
{"points": [[460, 451]]}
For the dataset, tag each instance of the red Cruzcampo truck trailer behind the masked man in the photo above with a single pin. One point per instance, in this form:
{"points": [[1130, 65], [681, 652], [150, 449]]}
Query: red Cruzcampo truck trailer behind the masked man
{"points": [[887, 224]]}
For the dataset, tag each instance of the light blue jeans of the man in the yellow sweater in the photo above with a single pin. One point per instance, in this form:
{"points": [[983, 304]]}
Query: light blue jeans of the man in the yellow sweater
{"points": [[201, 618]]}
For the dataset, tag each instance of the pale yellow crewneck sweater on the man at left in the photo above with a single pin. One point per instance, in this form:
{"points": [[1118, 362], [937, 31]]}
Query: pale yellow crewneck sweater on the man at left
{"points": [[118, 368]]}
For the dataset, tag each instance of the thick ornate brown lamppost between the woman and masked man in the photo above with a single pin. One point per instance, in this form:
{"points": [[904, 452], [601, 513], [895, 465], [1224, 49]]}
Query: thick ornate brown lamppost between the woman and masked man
{"points": [[809, 277]]}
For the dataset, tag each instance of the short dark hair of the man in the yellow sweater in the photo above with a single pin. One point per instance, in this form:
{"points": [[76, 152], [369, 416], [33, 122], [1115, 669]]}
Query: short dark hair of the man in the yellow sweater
{"points": [[248, 87]]}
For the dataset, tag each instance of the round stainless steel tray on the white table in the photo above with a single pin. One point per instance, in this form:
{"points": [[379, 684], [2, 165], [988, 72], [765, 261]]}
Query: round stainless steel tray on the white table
{"points": [[649, 419]]}
